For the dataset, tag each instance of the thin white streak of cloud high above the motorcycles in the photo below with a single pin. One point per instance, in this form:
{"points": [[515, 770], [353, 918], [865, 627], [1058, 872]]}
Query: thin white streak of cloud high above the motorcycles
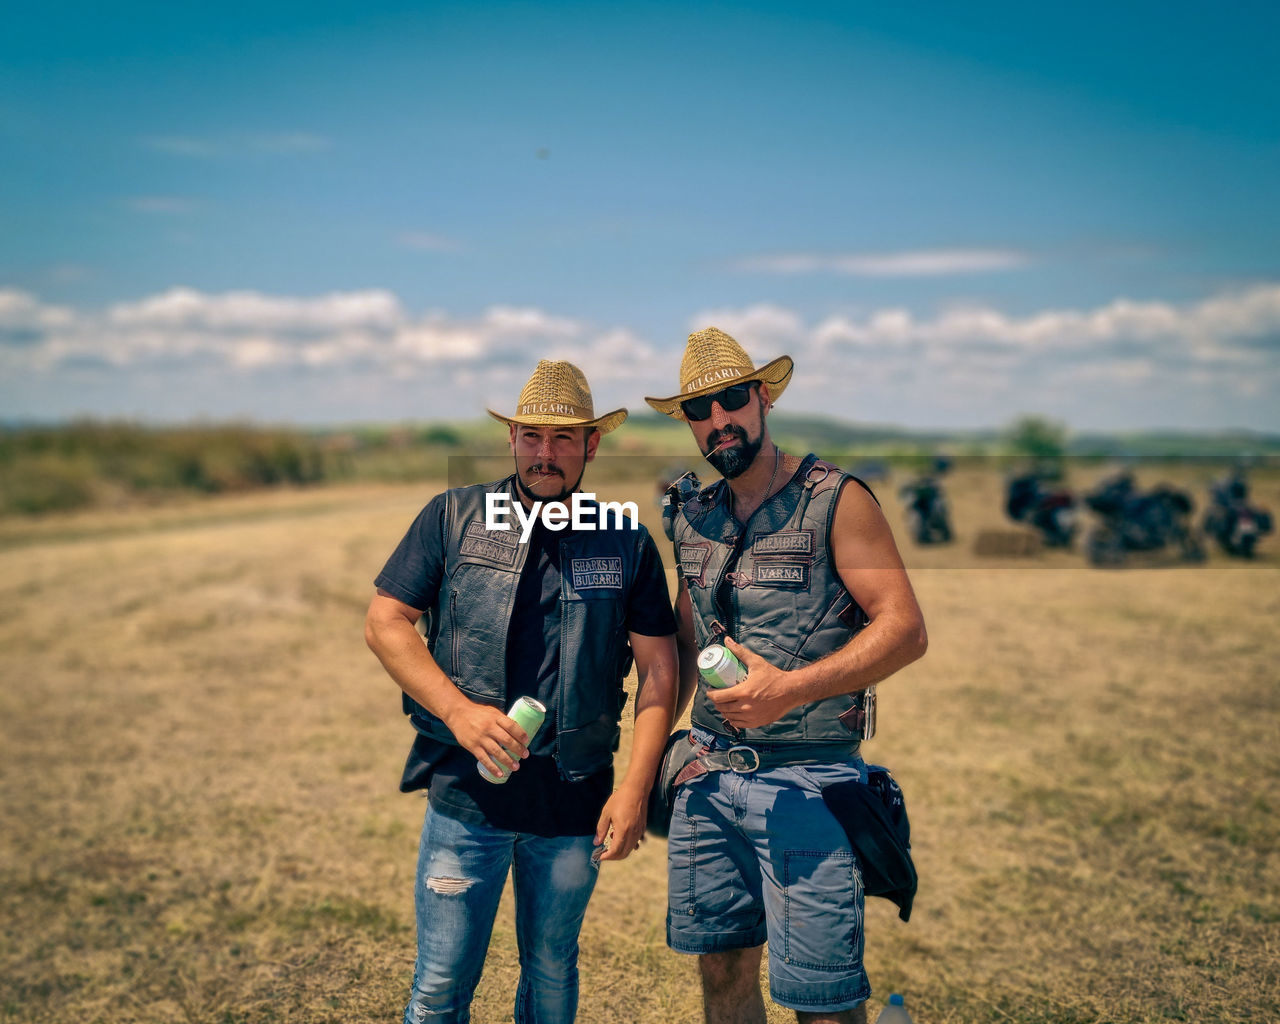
{"points": [[912, 264]]}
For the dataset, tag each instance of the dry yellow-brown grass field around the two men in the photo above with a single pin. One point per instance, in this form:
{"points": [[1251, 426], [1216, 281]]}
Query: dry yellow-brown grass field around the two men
{"points": [[200, 819]]}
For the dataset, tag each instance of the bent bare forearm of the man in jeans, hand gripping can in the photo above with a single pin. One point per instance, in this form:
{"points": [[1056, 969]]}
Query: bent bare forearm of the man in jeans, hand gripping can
{"points": [[486, 732]]}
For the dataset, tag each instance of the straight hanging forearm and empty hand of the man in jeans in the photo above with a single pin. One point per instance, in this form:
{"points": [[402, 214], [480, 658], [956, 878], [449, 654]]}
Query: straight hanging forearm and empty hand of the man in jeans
{"points": [[656, 701]]}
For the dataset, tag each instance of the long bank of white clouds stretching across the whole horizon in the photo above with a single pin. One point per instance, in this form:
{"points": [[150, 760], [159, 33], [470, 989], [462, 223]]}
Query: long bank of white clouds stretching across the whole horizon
{"points": [[971, 365]]}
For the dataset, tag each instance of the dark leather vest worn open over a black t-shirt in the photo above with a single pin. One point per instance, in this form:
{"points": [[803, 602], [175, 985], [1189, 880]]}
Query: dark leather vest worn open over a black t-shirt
{"points": [[468, 627]]}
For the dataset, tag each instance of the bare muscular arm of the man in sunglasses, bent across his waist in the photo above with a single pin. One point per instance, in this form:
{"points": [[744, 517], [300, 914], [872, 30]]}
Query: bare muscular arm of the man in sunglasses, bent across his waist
{"points": [[871, 569]]}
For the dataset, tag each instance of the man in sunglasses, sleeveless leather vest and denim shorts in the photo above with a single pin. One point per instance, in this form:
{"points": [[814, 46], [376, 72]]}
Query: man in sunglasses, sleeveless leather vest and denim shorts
{"points": [[799, 577]]}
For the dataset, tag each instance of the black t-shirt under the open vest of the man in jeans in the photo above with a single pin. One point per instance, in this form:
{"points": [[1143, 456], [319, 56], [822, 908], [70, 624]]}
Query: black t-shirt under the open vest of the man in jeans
{"points": [[536, 799]]}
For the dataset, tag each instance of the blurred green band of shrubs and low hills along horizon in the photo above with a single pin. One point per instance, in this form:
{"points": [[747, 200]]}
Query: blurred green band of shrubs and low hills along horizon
{"points": [[65, 467]]}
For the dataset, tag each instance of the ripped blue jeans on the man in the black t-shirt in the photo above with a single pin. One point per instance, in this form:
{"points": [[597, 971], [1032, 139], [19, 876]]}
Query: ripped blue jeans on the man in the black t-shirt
{"points": [[461, 872]]}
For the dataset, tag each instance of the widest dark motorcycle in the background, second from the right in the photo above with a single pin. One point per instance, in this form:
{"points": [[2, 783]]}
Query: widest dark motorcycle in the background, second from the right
{"points": [[1135, 522]]}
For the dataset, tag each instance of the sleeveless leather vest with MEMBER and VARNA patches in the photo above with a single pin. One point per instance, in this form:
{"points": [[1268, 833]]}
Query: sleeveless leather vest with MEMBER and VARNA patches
{"points": [[772, 587]]}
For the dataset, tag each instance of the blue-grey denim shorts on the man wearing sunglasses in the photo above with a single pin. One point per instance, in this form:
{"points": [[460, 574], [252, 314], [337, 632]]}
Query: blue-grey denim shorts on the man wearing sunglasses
{"points": [[758, 858]]}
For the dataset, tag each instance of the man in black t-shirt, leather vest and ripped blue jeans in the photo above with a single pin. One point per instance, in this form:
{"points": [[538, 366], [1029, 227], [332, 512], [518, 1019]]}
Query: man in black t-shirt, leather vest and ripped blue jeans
{"points": [[555, 615]]}
